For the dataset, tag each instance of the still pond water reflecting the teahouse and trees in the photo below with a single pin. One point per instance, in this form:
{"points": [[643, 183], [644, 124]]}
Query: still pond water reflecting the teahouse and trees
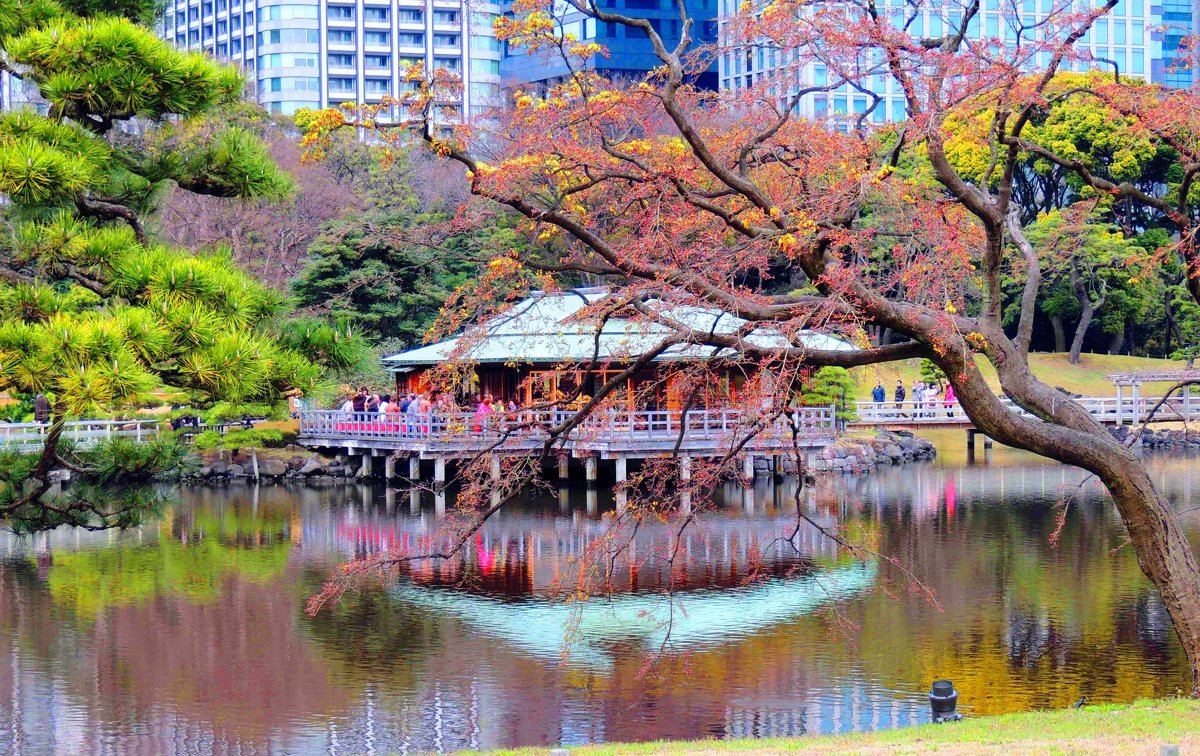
{"points": [[190, 635]]}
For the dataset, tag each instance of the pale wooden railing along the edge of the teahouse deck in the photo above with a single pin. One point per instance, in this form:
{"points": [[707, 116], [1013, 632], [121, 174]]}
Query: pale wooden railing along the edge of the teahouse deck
{"points": [[537, 425]]}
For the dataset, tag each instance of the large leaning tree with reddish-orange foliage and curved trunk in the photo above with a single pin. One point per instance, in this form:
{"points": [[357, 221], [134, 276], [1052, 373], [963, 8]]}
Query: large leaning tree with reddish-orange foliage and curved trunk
{"points": [[675, 196]]}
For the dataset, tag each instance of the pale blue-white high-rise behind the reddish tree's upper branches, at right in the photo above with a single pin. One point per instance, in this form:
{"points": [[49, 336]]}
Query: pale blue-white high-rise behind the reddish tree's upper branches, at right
{"points": [[1132, 37]]}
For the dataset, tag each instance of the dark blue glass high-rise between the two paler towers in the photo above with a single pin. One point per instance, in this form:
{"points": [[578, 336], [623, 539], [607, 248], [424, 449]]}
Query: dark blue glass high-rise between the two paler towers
{"points": [[629, 50]]}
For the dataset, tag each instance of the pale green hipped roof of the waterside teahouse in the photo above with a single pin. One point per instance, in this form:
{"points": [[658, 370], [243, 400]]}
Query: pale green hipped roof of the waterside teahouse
{"points": [[539, 329]]}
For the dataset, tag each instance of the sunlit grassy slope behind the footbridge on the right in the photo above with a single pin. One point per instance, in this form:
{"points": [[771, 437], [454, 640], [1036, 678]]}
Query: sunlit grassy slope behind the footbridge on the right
{"points": [[1090, 377]]}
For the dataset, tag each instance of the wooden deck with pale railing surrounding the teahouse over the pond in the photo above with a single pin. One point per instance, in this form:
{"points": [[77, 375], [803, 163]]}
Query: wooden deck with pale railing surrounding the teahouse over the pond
{"points": [[609, 435]]}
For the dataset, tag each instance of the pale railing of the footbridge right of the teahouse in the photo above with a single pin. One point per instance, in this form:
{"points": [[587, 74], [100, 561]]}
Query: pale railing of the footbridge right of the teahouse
{"points": [[1107, 410]]}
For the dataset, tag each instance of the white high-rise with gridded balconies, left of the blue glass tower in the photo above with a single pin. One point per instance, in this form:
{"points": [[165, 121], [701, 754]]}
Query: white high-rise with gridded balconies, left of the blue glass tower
{"points": [[322, 53]]}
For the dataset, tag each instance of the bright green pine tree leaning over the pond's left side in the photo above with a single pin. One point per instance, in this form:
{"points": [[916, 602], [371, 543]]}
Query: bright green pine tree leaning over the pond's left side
{"points": [[95, 314]]}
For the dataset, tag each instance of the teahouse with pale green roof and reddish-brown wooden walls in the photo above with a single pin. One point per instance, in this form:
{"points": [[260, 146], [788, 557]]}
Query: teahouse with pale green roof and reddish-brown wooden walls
{"points": [[541, 349]]}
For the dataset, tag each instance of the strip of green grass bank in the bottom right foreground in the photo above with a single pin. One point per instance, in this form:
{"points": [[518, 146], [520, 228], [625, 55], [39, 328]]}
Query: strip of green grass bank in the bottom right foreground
{"points": [[1142, 728]]}
